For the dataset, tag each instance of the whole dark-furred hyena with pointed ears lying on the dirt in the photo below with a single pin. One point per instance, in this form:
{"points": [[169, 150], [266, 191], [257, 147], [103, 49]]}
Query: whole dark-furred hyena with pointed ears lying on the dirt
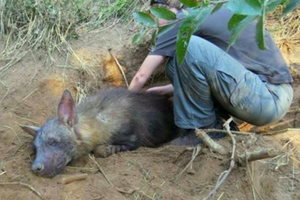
{"points": [[113, 120]]}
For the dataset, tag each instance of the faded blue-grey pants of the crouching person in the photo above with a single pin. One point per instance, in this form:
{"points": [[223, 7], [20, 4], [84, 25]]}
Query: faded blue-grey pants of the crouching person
{"points": [[208, 72]]}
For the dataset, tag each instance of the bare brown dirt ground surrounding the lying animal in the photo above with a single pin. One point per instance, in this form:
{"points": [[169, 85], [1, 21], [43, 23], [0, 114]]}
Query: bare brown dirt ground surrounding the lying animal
{"points": [[31, 92]]}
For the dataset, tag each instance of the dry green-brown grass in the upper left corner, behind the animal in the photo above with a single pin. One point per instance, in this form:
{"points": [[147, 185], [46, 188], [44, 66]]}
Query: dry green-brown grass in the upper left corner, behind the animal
{"points": [[48, 25]]}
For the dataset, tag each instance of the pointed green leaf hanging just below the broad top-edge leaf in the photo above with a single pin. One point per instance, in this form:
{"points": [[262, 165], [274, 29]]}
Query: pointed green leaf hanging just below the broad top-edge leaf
{"points": [[236, 25]]}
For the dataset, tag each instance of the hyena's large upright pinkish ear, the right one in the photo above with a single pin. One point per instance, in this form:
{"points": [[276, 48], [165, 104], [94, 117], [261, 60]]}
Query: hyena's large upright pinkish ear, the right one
{"points": [[67, 109]]}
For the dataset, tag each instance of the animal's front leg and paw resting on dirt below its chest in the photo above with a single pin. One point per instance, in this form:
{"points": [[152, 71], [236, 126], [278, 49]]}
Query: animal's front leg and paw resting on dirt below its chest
{"points": [[107, 150]]}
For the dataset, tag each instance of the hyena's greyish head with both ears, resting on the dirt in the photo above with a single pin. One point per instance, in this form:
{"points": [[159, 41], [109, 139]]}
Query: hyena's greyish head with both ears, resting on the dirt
{"points": [[55, 142]]}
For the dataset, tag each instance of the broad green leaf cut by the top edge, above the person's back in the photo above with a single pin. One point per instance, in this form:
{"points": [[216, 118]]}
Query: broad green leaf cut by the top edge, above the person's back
{"points": [[245, 7]]}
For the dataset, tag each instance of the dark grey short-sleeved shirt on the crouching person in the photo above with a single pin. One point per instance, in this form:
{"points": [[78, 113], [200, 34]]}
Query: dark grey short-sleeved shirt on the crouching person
{"points": [[269, 64]]}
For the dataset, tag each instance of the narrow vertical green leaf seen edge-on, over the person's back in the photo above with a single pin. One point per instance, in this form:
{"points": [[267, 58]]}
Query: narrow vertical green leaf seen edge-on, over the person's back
{"points": [[260, 30]]}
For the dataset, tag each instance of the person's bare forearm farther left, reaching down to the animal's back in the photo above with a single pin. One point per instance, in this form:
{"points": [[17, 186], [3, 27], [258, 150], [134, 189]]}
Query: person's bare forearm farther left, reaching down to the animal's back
{"points": [[141, 77]]}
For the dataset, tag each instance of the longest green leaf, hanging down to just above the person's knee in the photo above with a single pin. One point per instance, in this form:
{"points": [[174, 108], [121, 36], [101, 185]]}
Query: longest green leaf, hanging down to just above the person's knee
{"points": [[187, 28]]}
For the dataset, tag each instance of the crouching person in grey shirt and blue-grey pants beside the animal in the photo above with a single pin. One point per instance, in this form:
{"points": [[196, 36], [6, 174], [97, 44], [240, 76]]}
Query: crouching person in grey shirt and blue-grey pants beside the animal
{"points": [[246, 82]]}
